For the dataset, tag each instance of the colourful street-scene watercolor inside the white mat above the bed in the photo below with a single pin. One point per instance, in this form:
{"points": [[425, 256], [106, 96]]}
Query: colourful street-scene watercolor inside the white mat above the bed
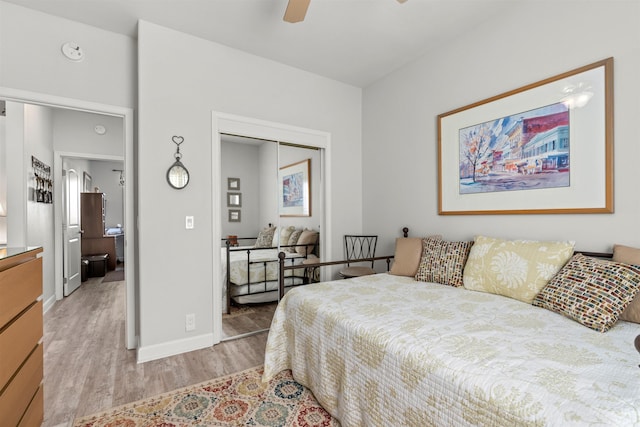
{"points": [[525, 151]]}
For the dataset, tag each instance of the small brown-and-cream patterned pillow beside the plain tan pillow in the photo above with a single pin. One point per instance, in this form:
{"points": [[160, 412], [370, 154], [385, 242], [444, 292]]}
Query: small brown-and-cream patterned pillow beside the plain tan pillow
{"points": [[442, 262]]}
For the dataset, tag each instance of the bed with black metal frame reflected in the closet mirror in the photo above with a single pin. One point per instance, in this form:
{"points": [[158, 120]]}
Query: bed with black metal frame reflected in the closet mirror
{"points": [[251, 273]]}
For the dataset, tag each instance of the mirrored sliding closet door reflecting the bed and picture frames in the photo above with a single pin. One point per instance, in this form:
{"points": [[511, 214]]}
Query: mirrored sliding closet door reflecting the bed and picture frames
{"points": [[271, 203]]}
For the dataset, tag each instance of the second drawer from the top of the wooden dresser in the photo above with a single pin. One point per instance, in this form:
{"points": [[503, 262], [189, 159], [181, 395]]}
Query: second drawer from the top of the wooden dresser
{"points": [[18, 339]]}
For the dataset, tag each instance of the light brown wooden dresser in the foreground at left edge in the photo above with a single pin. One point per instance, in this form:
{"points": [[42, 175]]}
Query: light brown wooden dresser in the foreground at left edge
{"points": [[21, 347]]}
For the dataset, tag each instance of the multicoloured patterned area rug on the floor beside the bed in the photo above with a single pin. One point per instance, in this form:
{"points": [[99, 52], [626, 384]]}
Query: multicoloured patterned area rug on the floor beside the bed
{"points": [[239, 399]]}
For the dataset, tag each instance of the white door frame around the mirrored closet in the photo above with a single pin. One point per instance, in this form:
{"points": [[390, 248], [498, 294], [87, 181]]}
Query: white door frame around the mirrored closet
{"points": [[261, 129]]}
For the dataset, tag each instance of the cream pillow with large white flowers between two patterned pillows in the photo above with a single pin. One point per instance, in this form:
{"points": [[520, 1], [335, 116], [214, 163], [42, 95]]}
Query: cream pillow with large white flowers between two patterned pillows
{"points": [[517, 269]]}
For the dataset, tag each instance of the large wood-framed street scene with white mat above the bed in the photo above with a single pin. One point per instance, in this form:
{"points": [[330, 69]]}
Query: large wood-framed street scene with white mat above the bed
{"points": [[545, 148]]}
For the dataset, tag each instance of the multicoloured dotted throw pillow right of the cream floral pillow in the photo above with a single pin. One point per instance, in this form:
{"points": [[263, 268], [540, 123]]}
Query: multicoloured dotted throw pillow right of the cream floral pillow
{"points": [[591, 291]]}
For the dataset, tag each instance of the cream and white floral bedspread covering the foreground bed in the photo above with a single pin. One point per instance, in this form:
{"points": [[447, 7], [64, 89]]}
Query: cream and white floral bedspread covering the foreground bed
{"points": [[386, 350]]}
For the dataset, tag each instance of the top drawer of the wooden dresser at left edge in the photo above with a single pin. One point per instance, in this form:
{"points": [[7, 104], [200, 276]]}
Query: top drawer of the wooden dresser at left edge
{"points": [[19, 287]]}
